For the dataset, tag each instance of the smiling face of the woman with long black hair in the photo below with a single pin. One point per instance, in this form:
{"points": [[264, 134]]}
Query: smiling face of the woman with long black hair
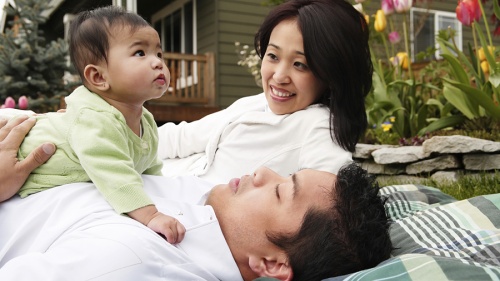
{"points": [[288, 82]]}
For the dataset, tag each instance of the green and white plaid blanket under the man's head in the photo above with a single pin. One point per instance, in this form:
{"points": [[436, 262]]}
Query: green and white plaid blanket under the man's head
{"points": [[438, 238]]}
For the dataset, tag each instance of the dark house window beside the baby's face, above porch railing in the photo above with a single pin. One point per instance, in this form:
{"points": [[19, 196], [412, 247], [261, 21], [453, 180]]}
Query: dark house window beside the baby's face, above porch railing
{"points": [[176, 24]]}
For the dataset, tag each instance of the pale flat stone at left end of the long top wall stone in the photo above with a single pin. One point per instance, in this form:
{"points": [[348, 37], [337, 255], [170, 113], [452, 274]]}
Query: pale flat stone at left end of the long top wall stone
{"points": [[395, 155]]}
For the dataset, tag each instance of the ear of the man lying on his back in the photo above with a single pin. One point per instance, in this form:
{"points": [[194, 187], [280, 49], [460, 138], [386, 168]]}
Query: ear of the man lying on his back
{"points": [[276, 267]]}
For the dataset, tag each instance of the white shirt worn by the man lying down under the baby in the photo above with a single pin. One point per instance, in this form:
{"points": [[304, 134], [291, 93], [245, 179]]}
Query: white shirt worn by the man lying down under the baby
{"points": [[71, 233]]}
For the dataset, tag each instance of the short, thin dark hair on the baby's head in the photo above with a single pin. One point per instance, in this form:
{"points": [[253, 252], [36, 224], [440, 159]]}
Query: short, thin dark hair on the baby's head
{"points": [[89, 34]]}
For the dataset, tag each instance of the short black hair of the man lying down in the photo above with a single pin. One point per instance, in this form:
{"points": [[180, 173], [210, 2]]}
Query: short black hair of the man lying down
{"points": [[349, 236]]}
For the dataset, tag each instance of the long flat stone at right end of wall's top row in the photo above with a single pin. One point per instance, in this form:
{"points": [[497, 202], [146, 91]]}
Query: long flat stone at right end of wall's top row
{"points": [[459, 144]]}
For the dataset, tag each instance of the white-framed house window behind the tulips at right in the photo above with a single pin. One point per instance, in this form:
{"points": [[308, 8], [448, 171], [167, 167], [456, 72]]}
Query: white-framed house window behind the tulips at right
{"points": [[425, 25]]}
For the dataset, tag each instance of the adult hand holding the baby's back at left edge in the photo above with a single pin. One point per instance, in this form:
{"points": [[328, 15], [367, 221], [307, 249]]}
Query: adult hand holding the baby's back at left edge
{"points": [[14, 172]]}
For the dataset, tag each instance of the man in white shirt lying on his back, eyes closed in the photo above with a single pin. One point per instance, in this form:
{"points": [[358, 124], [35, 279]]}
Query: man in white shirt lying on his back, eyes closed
{"points": [[309, 226]]}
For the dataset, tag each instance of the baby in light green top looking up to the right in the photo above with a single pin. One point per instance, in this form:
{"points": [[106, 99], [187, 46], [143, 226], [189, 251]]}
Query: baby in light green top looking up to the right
{"points": [[106, 135]]}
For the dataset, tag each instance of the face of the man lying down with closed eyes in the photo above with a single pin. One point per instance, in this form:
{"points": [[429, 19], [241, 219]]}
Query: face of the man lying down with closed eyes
{"points": [[249, 207]]}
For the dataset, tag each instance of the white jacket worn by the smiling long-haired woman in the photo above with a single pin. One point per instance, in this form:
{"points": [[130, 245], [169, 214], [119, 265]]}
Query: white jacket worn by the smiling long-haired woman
{"points": [[246, 135]]}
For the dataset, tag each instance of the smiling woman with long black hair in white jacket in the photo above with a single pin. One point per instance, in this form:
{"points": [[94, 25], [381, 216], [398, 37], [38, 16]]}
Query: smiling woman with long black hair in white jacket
{"points": [[316, 71]]}
